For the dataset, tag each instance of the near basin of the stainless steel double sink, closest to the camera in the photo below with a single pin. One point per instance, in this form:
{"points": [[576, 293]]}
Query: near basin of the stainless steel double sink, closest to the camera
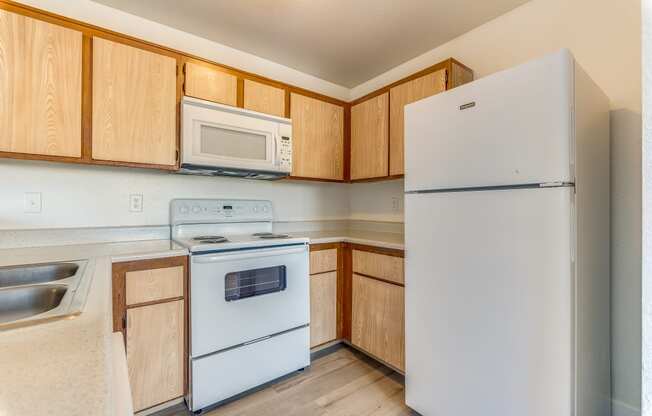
{"points": [[25, 302]]}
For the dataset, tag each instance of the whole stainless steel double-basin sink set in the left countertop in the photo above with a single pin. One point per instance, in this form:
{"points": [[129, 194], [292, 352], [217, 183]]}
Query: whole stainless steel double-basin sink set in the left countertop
{"points": [[34, 293]]}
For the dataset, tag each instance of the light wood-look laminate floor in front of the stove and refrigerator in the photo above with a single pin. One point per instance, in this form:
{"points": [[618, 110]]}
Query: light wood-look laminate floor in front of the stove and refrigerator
{"points": [[342, 383]]}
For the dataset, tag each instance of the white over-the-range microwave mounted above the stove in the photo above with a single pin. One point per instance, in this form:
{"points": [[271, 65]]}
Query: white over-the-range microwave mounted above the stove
{"points": [[228, 141]]}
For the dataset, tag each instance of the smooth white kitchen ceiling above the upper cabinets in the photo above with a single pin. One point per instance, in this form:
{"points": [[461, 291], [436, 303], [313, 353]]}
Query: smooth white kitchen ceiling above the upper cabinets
{"points": [[346, 42]]}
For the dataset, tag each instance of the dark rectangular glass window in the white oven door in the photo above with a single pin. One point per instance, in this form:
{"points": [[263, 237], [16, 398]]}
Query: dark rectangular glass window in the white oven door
{"points": [[250, 283]]}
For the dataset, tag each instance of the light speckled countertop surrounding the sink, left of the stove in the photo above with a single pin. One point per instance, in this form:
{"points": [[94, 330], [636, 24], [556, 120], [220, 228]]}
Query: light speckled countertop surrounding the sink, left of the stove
{"points": [[65, 367]]}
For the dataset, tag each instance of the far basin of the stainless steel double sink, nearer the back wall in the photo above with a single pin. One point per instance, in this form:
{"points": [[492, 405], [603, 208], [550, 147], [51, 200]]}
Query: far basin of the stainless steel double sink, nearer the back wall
{"points": [[37, 273]]}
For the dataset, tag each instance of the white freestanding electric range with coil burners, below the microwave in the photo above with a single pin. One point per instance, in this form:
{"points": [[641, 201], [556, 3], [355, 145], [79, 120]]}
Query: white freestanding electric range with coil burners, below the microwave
{"points": [[249, 297]]}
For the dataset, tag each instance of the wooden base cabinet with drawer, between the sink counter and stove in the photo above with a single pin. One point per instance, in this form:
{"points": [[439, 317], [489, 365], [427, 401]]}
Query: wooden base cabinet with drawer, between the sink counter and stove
{"points": [[150, 308]]}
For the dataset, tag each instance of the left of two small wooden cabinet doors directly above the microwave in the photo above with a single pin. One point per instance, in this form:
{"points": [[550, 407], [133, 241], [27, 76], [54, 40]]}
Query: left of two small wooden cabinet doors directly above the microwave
{"points": [[208, 83]]}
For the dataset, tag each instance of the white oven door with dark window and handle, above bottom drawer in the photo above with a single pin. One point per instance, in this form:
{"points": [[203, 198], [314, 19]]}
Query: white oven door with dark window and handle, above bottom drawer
{"points": [[242, 296]]}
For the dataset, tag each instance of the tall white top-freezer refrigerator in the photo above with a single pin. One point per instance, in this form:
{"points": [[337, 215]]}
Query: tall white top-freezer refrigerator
{"points": [[507, 245]]}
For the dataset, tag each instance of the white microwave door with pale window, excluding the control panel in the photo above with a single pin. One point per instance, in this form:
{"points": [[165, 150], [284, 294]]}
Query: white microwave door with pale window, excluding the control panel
{"points": [[219, 136]]}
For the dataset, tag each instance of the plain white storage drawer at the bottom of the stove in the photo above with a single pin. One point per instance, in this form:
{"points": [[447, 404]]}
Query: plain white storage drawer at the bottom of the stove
{"points": [[220, 376]]}
